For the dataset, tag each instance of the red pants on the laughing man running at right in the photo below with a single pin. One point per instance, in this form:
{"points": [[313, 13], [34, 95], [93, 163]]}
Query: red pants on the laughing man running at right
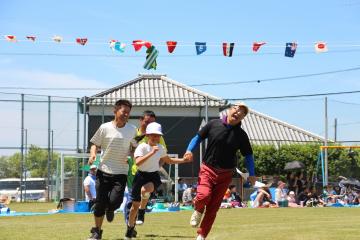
{"points": [[212, 185]]}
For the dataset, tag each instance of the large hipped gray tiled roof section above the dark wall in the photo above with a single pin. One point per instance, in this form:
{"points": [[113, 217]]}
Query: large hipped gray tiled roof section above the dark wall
{"points": [[156, 90]]}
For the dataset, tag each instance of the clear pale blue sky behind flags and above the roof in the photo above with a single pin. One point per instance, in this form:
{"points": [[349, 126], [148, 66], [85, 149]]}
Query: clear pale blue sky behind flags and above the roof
{"points": [[243, 22]]}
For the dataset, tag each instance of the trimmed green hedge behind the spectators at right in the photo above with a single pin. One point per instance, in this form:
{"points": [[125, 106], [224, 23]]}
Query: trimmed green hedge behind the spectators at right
{"points": [[271, 160]]}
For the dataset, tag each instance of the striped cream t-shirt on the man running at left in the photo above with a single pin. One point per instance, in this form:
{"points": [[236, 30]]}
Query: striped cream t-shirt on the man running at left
{"points": [[115, 147]]}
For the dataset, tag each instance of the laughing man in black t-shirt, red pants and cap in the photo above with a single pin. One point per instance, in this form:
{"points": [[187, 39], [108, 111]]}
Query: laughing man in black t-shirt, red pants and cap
{"points": [[225, 137]]}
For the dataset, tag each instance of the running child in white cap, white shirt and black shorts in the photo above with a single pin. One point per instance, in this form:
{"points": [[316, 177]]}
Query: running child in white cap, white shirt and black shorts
{"points": [[147, 179]]}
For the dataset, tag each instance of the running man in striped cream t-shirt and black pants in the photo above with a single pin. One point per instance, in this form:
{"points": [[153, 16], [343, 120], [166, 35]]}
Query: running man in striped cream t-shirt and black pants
{"points": [[115, 140]]}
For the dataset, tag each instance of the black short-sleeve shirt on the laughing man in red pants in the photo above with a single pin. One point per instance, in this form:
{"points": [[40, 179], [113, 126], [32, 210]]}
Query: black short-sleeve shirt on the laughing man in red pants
{"points": [[223, 143]]}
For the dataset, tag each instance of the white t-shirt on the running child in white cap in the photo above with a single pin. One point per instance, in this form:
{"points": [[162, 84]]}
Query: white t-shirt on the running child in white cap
{"points": [[152, 163]]}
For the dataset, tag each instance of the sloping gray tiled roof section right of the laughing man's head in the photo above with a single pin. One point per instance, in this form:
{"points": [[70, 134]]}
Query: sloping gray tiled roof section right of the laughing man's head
{"points": [[263, 129]]}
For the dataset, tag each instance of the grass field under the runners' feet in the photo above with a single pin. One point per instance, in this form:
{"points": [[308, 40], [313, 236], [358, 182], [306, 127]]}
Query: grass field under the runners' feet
{"points": [[252, 224]]}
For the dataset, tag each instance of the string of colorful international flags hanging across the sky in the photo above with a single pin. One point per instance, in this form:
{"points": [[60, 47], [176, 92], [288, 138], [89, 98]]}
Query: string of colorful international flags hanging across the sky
{"points": [[152, 52]]}
